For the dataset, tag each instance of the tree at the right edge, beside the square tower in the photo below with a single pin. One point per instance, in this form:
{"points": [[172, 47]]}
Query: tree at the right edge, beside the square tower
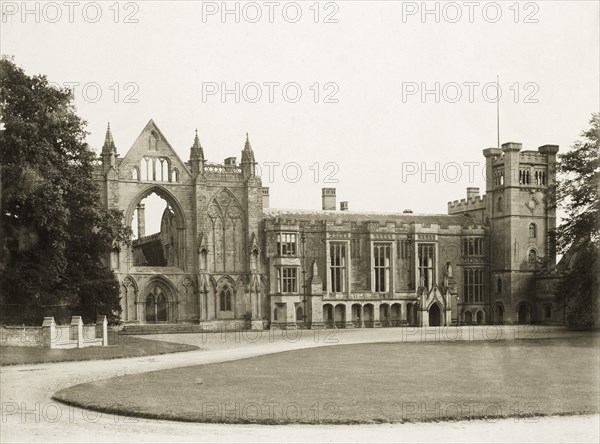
{"points": [[578, 193]]}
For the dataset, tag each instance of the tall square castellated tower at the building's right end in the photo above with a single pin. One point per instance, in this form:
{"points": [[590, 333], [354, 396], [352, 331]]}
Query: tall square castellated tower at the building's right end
{"points": [[522, 224]]}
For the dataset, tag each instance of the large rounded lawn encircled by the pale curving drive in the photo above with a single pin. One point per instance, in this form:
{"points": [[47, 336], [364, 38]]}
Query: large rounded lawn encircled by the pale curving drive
{"points": [[366, 383]]}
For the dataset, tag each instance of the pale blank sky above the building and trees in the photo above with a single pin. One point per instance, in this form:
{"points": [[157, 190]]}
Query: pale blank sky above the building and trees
{"points": [[371, 61]]}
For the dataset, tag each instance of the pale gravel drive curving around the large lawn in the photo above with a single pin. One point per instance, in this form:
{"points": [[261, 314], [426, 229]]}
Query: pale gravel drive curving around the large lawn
{"points": [[30, 415]]}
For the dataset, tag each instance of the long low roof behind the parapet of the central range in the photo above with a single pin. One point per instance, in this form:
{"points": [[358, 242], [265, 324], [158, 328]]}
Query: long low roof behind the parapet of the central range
{"points": [[444, 220]]}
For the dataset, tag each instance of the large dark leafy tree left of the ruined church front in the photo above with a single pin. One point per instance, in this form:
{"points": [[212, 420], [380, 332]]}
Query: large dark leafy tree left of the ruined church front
{"points": [[54, 231]]}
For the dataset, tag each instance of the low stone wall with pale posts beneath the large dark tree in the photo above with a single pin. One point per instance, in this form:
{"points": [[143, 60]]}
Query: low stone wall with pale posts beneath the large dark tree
{"points": [[50, 335]]}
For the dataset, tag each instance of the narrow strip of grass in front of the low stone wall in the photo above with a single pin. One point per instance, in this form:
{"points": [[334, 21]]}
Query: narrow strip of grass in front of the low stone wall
{"points": [[118, 347]]}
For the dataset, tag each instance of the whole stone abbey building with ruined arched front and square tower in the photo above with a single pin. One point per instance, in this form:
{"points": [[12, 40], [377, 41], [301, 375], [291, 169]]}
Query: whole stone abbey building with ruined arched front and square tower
{"points": [[223, 258]]}
